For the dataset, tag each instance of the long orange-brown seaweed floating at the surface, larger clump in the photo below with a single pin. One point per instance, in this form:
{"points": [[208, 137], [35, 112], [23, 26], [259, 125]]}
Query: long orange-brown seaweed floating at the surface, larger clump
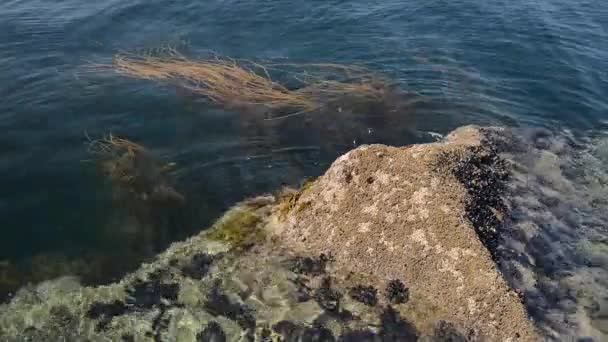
{"points": [[243, 84]]}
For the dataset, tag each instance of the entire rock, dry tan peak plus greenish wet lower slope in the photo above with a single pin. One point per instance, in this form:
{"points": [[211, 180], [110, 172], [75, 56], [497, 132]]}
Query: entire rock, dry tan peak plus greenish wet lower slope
{"points": [[391, 244]]}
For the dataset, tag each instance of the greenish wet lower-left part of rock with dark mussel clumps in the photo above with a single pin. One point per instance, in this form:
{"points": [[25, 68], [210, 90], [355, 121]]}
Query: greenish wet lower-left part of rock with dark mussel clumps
{"points": [[213, 287]]}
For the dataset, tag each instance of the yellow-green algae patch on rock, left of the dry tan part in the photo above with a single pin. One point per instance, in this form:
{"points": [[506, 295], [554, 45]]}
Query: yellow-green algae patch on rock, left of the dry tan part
{"points": [[240, 228]]}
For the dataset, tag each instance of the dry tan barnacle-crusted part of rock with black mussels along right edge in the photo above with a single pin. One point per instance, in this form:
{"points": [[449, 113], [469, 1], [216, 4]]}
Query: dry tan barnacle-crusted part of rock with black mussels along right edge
{"points": [[423, 214]]}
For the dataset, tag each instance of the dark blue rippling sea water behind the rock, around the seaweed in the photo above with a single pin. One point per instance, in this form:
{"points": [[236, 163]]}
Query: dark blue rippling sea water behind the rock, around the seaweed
{"points": [[522, 63]]}
